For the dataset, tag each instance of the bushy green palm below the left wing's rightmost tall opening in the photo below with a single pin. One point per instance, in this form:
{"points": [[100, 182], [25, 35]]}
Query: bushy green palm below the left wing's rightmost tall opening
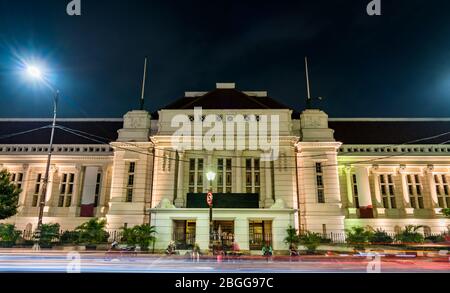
{"points": [[93, 233]]}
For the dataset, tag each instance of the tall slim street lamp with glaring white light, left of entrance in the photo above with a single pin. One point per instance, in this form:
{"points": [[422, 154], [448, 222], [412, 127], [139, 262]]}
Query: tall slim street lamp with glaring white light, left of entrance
{"points": [[36, 73]]}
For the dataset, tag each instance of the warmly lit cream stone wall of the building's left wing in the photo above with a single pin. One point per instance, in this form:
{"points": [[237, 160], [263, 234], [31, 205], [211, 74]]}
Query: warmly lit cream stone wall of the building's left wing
{"points": [[31, 165]]}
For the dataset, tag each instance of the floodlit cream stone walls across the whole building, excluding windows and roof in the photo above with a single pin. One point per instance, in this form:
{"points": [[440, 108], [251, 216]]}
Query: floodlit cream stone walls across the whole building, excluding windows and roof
{"points": [[308, 140]]}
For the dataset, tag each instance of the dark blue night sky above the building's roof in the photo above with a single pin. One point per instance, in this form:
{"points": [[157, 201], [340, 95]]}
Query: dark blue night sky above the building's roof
{"points": [[394, 65]]}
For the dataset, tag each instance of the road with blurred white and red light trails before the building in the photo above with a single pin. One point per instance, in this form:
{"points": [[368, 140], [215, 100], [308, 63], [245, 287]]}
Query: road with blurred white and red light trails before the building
{"points": [[98, 262]]}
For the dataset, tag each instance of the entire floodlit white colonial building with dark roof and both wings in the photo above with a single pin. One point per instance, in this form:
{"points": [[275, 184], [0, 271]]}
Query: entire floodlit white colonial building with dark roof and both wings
{"points": [[328, 175]]}
